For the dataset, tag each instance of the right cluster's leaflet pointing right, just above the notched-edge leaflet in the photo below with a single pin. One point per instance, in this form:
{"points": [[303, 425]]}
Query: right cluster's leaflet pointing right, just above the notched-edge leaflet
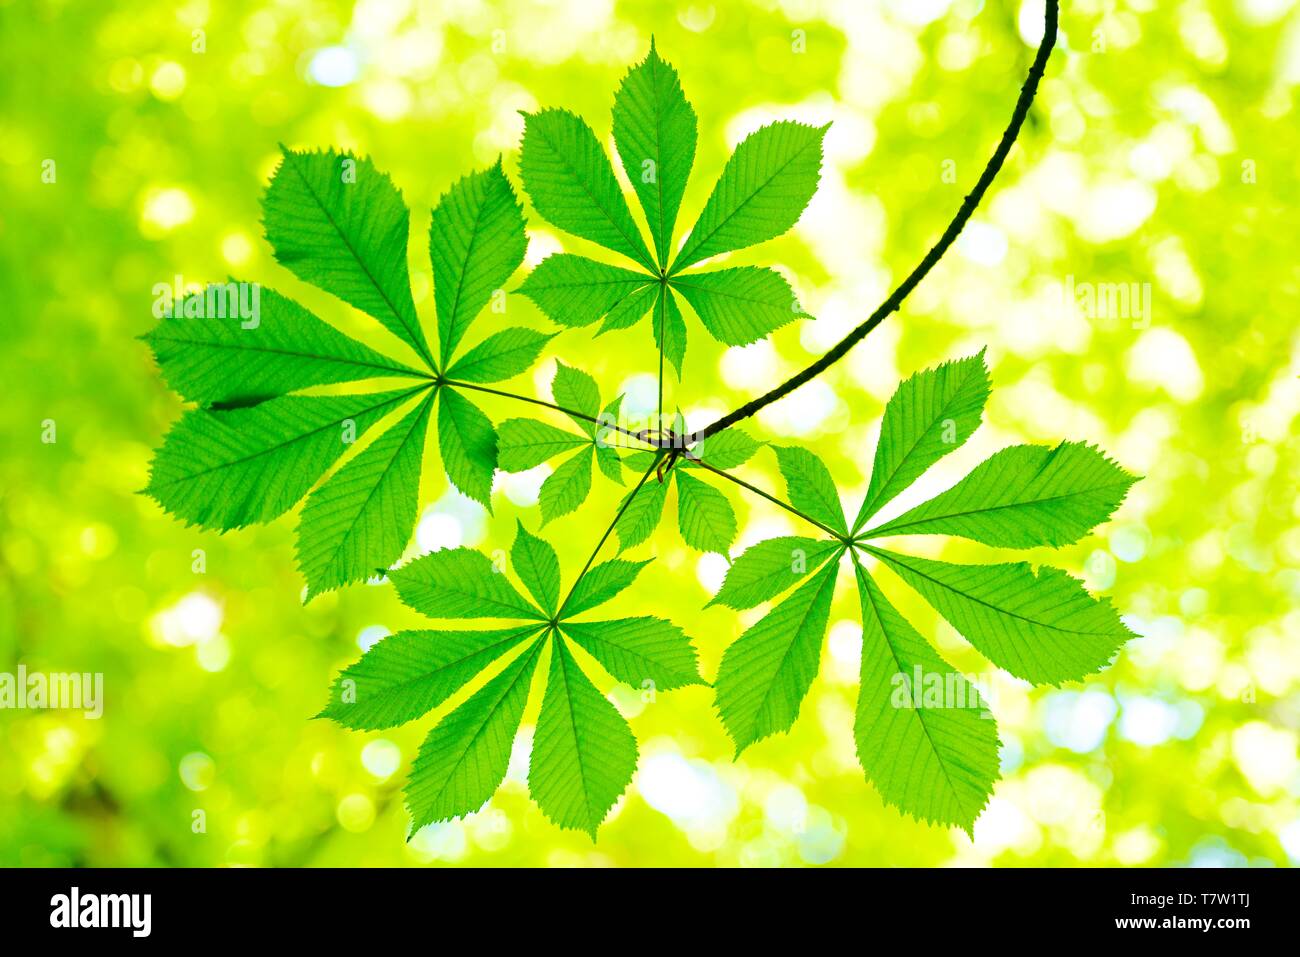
{"points": [[1022, 497]]}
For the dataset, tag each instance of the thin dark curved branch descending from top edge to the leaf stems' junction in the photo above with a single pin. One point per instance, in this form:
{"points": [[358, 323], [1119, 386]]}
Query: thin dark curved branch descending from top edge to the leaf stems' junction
{"points": [[937, 252]]}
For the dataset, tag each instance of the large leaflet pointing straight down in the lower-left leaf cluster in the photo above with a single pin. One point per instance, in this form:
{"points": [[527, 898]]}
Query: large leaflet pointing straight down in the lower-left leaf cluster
{"points": [[584, 754]]}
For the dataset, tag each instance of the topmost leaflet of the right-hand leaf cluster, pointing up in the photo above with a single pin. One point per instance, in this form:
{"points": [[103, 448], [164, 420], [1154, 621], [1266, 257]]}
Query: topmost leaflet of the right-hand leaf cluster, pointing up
{"points": [[929, 417]]}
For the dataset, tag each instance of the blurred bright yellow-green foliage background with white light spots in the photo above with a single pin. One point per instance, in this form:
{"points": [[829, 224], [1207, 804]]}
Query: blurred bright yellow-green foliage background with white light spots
{"points": [[1162, 150]]}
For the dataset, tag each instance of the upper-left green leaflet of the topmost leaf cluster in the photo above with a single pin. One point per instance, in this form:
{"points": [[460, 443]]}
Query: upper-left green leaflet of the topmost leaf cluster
{"points": [[573, 185]]}
